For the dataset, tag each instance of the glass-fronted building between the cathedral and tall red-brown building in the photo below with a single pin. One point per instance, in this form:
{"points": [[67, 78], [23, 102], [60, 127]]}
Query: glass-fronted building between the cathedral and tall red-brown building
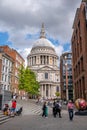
{"points": [[66, 83]]}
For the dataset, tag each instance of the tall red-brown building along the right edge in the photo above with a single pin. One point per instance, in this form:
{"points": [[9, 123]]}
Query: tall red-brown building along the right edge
{"points": [[79, 51]]}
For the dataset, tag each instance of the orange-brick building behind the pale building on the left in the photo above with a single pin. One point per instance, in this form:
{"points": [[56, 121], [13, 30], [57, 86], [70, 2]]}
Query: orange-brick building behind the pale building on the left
{"points": [[18, 61]]}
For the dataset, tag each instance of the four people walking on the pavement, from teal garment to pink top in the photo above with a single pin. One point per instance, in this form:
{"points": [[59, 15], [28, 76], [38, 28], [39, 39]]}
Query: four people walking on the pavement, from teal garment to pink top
{"points": [[57, 107]]}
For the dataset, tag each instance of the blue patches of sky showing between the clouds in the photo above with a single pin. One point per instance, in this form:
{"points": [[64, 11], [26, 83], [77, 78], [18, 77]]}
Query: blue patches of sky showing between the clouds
{"points": [[4, 39]]}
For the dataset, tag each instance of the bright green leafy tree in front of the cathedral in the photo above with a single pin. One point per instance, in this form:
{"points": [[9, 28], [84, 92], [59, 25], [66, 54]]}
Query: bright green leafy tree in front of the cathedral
{"points": [[27, 81]]}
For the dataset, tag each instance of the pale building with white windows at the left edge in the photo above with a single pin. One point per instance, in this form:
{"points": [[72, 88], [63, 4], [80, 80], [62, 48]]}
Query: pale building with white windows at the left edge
{"points": [[6, 66]]}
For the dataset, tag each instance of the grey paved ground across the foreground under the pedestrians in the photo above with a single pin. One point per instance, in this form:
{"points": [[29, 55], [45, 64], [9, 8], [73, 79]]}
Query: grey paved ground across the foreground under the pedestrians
{"points": [[32, 121]]}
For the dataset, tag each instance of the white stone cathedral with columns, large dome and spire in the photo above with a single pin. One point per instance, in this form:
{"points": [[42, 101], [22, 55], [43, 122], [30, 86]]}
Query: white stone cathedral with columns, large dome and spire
{"points": [[43, 60]]}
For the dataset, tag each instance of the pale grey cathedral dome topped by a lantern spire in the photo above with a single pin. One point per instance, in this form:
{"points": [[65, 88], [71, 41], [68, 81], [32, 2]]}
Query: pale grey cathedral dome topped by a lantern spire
{"points": [[42, 45]]}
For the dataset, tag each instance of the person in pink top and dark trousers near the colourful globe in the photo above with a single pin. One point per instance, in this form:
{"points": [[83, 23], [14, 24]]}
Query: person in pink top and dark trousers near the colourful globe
{"points": [[70, 107]]}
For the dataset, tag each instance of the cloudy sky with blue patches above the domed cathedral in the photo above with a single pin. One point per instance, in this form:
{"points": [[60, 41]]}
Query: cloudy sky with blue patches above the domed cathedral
{"points": [[21, 21]]}
